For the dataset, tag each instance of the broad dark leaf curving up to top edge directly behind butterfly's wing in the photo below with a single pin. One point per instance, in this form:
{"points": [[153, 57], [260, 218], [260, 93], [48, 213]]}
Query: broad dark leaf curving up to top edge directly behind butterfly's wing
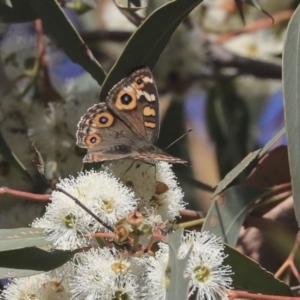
{"points": [[146, 44]]}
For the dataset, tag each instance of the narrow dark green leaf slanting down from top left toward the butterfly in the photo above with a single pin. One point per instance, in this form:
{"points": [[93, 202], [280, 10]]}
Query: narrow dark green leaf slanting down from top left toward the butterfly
{"points": [[61, 29]]}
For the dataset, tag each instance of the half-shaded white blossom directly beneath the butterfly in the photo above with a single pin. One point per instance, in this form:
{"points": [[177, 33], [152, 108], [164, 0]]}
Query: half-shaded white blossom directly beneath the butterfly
{"points": [[143, 178]]}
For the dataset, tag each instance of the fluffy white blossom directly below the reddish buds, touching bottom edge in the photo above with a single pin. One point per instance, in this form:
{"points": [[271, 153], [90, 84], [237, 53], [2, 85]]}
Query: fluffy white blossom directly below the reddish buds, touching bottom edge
{"points": [[103, 274]]}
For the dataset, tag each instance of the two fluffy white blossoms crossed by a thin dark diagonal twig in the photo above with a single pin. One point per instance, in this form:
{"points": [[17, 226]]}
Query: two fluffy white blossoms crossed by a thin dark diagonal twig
{"points": [[67, 225]]}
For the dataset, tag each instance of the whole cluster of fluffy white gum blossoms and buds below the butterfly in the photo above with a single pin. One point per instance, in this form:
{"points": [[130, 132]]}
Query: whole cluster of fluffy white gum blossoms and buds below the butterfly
{"points": [[140, 202]]}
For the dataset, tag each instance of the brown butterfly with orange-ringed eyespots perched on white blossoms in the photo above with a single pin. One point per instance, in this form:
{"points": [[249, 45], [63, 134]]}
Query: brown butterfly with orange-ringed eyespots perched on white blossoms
{"points": [[126, 125]]}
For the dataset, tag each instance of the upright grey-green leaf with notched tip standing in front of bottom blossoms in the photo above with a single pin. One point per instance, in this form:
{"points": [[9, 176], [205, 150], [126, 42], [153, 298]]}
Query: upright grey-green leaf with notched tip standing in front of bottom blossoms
{"points": [[178, 288]]}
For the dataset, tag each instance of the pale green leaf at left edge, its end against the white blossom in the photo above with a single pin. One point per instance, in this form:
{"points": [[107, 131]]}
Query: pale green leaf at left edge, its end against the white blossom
{"points": [[11, 239]]}
